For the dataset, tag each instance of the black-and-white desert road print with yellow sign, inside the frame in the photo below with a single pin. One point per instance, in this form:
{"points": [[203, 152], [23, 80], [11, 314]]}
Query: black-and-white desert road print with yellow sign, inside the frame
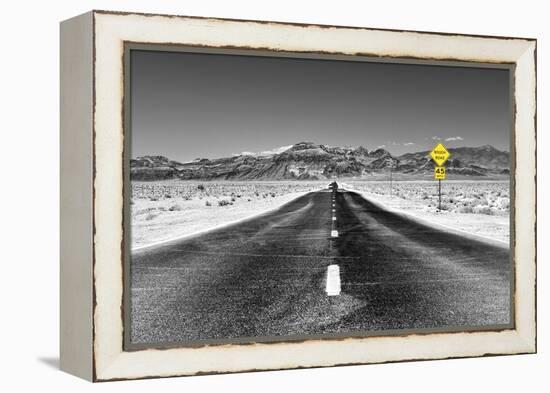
{"points": [[279, 198]]}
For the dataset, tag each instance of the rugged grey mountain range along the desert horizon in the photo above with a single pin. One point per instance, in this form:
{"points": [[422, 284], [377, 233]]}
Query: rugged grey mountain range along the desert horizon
{"points": [[310, 161]]}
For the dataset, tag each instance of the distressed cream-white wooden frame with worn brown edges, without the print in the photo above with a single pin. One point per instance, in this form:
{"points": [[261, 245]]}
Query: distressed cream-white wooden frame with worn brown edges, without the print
{"points": [[92, 47]]}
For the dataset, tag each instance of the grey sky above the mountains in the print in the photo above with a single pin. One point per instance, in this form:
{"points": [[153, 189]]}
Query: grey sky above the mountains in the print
{"points": [[187, 105]]}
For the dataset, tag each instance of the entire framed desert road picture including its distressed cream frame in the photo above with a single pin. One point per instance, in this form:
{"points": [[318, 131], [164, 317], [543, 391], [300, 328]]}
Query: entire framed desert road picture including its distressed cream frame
{"points": [[246, 195]]}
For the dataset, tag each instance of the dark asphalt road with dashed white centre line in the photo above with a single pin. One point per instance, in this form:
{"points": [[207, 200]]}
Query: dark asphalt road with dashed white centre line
{"points": [[327, 262]]}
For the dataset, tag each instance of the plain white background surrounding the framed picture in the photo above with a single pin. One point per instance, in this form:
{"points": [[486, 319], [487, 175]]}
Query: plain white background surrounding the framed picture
{"points": [[29, 194]]}
